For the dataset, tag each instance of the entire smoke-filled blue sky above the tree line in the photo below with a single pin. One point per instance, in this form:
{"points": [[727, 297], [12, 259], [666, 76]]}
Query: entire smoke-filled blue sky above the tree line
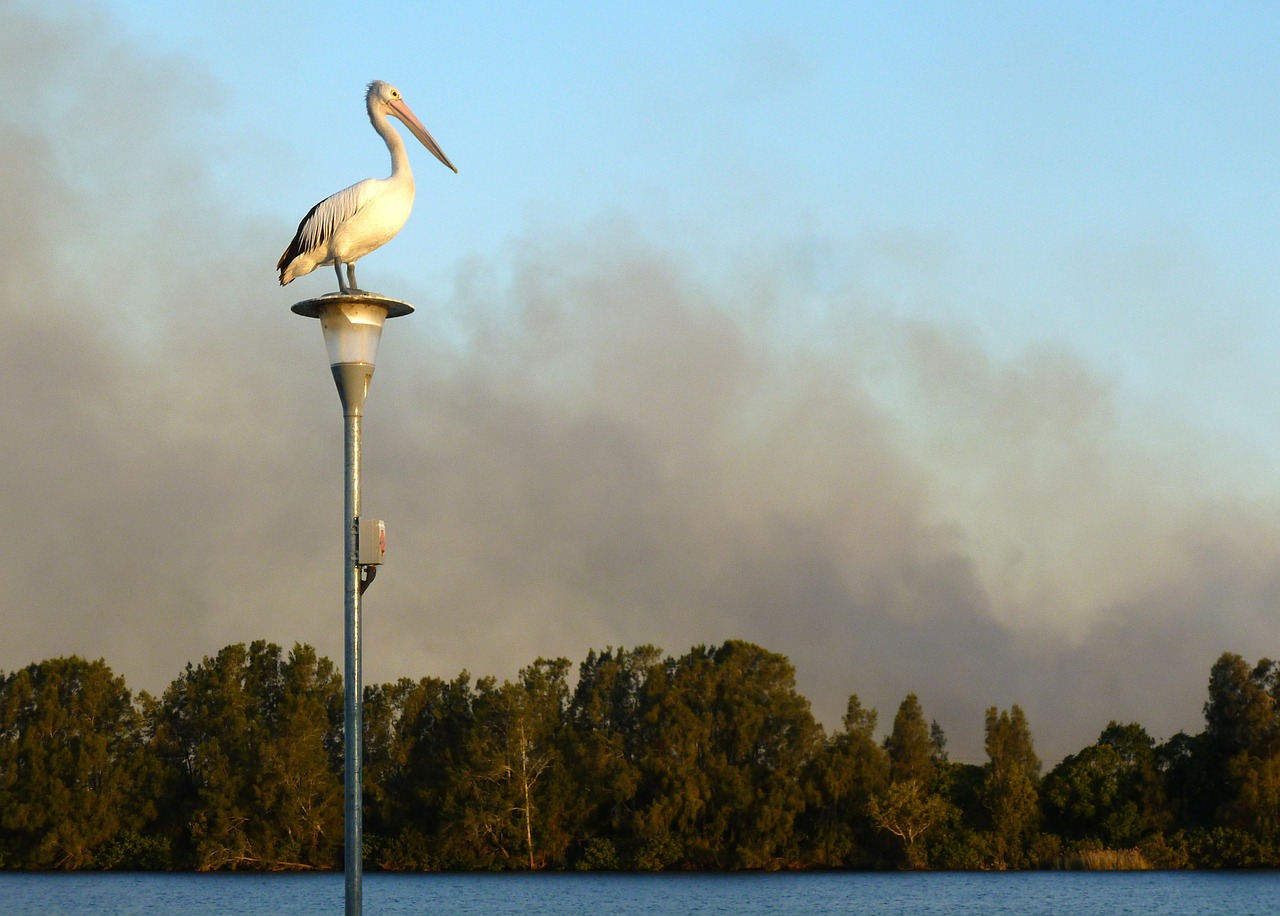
{"points": [[931, 346]]}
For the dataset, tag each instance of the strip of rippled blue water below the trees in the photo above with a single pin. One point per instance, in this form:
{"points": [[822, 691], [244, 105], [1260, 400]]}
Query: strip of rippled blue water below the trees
{"points": [[601, 895]]}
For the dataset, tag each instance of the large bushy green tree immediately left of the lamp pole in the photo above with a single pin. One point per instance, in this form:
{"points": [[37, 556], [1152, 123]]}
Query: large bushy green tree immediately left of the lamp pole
{"points": [[252, 745]]}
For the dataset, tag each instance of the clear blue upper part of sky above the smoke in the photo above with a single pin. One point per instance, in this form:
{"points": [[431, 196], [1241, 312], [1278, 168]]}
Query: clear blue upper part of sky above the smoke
{"points": [[1037, 150]]}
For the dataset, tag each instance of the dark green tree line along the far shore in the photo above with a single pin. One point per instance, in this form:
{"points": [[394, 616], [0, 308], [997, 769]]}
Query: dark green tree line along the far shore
{"points": [[644, 762]]}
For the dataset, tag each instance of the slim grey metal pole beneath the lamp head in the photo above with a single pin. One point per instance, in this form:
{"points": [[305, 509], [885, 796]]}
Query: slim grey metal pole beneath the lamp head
{"points": [[353, 679]]}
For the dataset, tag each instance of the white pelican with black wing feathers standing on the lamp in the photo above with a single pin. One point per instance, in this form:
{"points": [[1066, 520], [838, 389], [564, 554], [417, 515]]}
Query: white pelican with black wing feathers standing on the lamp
{"points": [[344, 228]]}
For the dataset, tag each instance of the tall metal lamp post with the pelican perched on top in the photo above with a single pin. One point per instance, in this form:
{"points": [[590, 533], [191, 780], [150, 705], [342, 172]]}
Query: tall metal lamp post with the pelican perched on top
{"points": [[353, 326]]}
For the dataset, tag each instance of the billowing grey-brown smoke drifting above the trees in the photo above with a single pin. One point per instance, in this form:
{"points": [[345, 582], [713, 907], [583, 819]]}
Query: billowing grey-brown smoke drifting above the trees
{"points": [[584, 442]]}
